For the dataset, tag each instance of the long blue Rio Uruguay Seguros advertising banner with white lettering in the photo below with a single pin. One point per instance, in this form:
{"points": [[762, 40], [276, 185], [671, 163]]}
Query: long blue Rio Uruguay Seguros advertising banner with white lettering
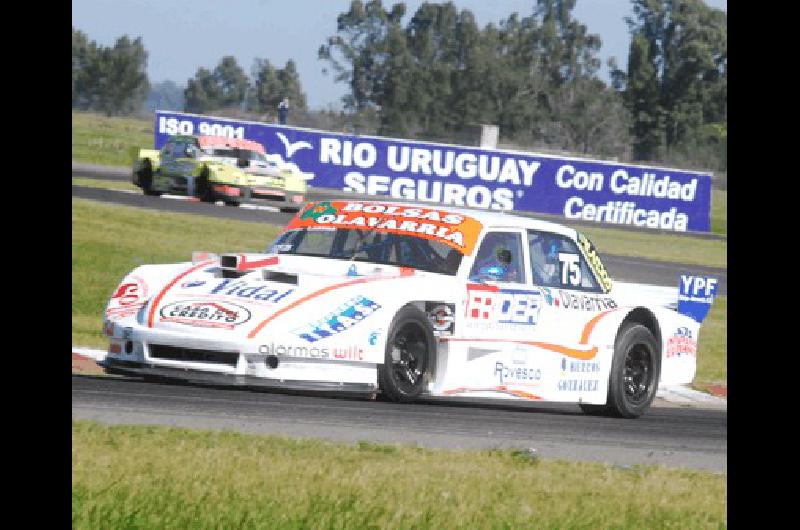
{"points": [[579, 189]]}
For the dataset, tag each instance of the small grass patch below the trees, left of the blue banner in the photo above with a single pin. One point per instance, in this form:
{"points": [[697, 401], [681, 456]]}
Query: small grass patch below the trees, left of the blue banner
{"points": [[98, 139]]}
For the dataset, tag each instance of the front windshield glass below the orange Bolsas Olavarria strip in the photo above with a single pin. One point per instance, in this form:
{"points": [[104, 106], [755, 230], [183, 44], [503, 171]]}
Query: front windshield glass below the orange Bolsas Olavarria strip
{"points": [[370, 246]]}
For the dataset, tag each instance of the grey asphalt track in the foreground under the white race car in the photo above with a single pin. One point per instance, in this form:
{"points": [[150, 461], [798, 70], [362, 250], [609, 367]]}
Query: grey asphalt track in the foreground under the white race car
{"points": [[675, 437]]}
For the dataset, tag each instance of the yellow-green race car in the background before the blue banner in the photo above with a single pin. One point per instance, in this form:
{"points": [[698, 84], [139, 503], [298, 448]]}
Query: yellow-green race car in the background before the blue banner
{"points": [[216, 168]]}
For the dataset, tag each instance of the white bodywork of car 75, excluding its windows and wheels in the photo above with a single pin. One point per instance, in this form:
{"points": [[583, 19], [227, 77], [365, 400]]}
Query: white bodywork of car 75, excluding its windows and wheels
{"points": [[509, 341]]}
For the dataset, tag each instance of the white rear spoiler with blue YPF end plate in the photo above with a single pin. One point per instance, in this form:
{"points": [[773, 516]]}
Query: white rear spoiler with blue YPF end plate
{"points": [[692, 297]]}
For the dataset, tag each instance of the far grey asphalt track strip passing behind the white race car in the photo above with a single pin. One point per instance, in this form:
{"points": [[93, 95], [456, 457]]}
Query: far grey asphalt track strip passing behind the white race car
{"points": [[637, 270]]}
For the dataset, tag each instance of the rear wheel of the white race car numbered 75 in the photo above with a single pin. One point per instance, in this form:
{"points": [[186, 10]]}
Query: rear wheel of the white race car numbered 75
{"points": [[635, 371]]}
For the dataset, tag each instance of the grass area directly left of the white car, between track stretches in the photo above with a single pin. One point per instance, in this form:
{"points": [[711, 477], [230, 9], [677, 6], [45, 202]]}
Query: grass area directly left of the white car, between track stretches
{"points": [[110, 240]]}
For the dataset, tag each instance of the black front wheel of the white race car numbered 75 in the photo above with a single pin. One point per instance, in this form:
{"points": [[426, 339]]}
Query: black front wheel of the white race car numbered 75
{"points": [[410, 350]]}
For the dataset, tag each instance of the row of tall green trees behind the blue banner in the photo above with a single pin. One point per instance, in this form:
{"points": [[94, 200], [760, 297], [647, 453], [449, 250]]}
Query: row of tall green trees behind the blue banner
{"points": [[440, 74]]}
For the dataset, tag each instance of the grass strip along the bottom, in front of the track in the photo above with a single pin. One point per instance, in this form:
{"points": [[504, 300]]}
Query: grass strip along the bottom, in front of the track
{"points": [[163, 477]]}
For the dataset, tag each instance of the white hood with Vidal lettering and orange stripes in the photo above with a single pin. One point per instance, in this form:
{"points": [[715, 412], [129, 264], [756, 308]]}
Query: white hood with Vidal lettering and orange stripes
{"points": [[276, 294]]}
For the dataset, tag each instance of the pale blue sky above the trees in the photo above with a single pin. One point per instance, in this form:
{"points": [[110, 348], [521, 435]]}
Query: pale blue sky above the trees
{"points": [[183, 35]]}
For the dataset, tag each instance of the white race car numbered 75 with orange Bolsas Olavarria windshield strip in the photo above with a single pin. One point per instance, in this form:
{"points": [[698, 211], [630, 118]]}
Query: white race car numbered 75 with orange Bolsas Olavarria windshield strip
{"points": [[407, 300]]}
